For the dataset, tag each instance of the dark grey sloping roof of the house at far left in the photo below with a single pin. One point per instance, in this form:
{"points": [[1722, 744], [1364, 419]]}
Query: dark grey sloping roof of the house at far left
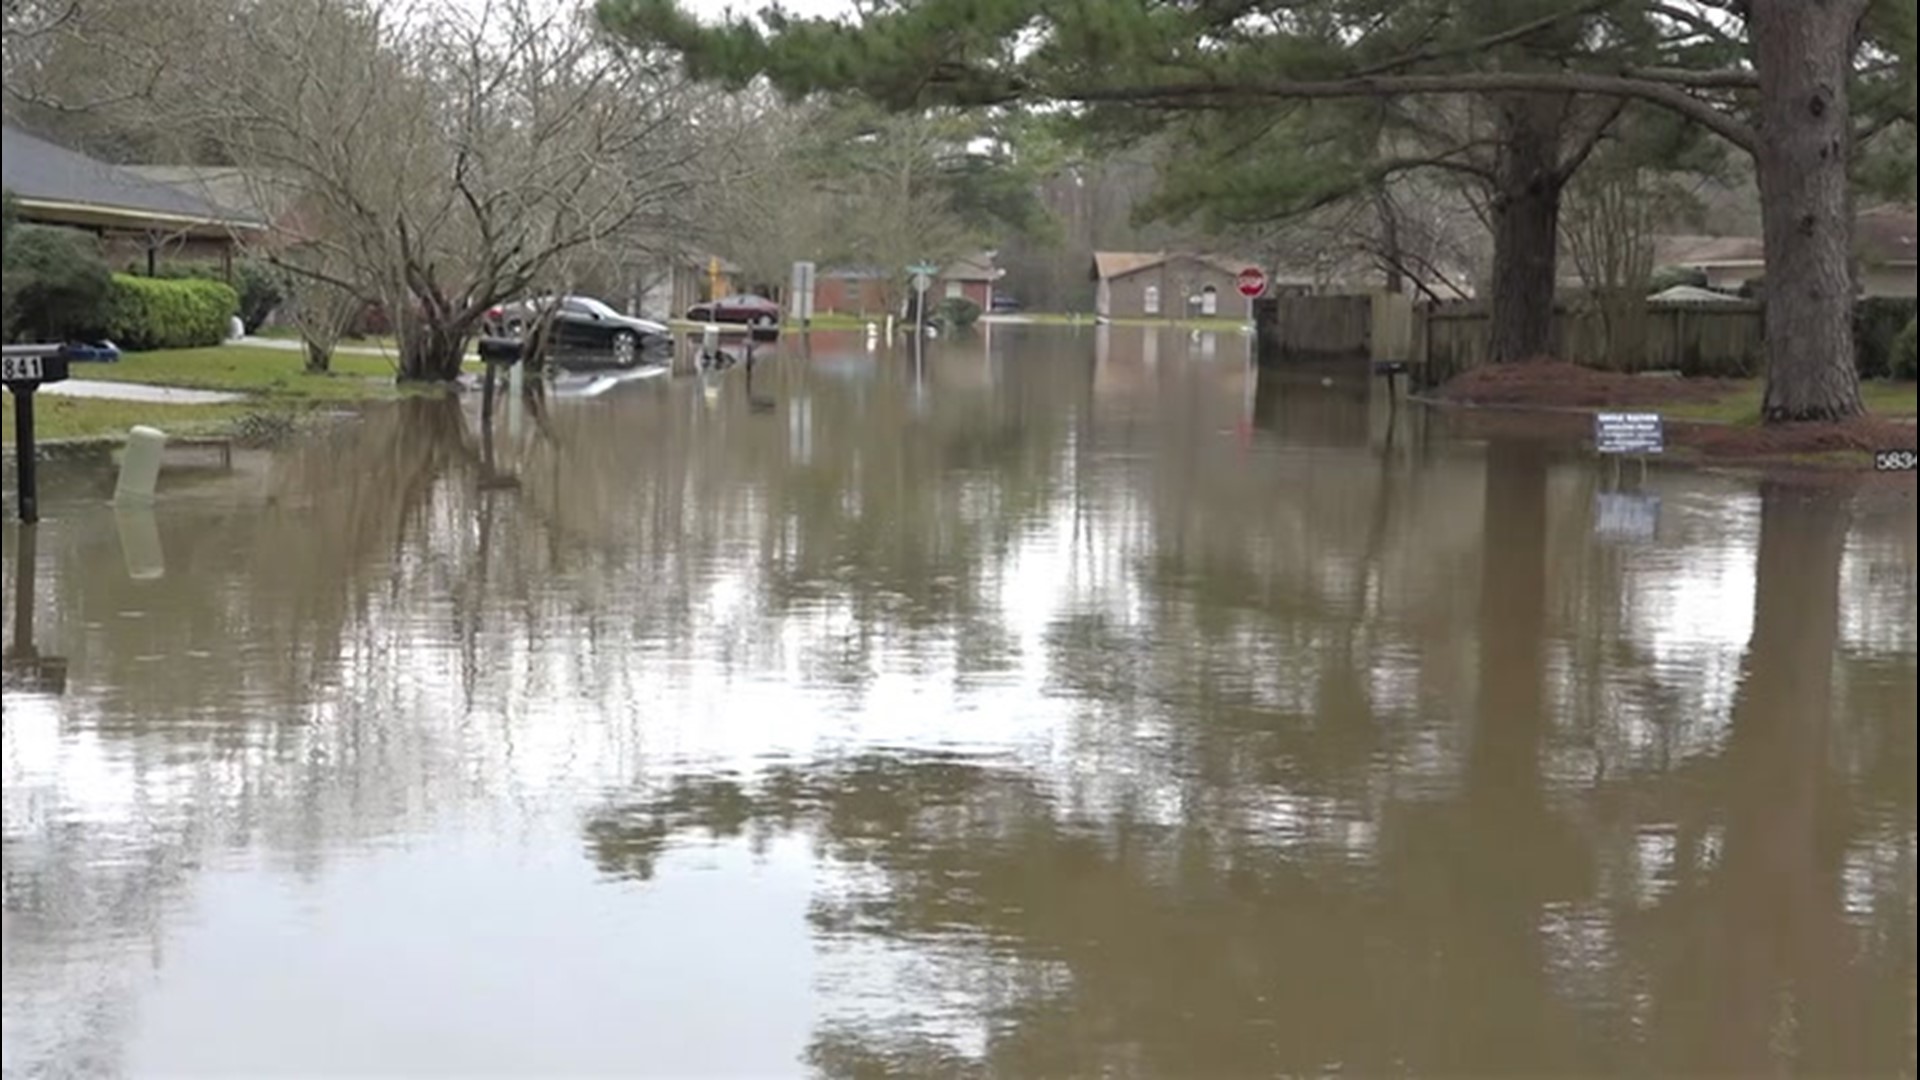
{"points": [[53, 184]]}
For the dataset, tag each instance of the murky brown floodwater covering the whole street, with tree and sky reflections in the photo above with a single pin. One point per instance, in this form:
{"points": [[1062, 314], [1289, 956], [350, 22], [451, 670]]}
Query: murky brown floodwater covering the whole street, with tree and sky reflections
{"points": [[1061, 704]]}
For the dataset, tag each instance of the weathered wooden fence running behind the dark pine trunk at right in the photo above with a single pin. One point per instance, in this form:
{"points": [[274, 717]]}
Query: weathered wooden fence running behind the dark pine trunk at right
{"points": [[1694, 339]]}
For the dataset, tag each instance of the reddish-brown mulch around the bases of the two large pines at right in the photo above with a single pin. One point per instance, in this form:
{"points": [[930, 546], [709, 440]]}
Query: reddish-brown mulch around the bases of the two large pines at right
{"points": [[1560, 389]]}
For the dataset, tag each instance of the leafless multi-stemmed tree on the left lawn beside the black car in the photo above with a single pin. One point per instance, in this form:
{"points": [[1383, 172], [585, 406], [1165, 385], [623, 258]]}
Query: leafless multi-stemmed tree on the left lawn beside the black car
{"points": [[454, 157]]}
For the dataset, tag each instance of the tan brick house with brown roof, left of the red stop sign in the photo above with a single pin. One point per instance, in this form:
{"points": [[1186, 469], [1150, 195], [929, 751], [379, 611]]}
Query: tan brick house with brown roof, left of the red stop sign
{"points": [[1161, 285]]}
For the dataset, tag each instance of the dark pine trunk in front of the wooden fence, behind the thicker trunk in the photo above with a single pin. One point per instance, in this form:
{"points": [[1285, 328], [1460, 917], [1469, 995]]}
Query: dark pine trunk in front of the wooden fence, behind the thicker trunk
{"points": [[1527, 195]]}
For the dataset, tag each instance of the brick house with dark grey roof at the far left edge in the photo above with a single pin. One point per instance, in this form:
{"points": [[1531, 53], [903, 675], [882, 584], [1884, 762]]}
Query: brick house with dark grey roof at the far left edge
{"points": [[139, 222]]}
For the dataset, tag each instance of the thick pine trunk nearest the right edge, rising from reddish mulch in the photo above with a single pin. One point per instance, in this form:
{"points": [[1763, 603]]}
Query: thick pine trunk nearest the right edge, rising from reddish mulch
{"points": [[1802, 51]]}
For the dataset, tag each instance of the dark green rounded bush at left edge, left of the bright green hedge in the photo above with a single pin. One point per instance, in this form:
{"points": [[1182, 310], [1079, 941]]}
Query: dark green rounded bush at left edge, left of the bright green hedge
{"points": [[57, 285]]}
